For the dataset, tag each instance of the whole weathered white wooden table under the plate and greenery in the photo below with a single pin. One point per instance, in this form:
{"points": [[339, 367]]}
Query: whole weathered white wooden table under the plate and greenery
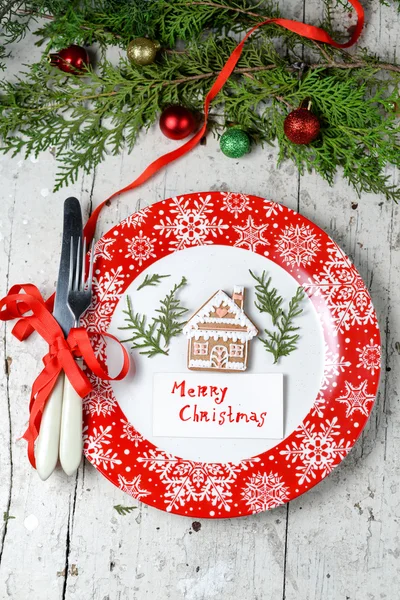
{"points": [[340, 541]]}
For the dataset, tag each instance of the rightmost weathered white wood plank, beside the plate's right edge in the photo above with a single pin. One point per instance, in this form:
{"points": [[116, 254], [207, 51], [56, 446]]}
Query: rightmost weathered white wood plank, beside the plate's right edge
{"points": [[342, 536]]}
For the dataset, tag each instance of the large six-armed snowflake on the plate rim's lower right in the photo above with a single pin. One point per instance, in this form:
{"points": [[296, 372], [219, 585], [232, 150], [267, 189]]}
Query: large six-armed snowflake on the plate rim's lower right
{"points": [[318, 449]]}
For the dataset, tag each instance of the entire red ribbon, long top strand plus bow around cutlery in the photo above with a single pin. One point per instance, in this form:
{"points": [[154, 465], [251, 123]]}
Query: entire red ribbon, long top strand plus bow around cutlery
{"points": [[62, 351]]}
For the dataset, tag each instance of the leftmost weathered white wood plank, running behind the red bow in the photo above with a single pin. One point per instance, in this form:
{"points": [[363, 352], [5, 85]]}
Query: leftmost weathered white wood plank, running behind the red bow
{"points": [[34, 552]]}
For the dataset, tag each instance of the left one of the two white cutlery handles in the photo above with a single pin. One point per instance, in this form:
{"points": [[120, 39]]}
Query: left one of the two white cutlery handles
{"points": [[47, 445]]}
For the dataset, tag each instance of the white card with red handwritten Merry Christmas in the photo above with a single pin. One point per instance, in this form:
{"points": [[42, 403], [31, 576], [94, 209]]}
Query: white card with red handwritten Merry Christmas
{"points": [[217, 405]]}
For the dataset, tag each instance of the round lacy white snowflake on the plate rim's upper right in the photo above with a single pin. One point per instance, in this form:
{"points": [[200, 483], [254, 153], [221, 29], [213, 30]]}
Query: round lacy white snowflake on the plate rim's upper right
{"points": [[298, 245]]}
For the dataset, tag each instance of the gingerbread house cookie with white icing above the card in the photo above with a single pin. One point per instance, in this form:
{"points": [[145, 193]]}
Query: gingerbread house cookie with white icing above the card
{"points": [[219, 334]]}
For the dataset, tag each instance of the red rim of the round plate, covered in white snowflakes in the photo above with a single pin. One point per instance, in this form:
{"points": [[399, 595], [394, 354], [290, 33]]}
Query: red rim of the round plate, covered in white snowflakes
{"points": [[351, 364]]}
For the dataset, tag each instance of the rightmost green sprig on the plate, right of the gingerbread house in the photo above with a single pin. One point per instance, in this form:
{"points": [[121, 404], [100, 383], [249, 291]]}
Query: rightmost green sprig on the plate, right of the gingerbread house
{"points": [[284, 341]]}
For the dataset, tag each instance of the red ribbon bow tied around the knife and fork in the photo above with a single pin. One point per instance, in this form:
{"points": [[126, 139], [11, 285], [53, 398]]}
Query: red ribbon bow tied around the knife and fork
{"points": [[60, 357]]}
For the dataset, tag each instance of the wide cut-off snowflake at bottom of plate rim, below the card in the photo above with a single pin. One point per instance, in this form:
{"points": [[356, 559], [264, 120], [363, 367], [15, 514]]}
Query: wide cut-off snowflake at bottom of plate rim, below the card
{"points": [[187, 480]]}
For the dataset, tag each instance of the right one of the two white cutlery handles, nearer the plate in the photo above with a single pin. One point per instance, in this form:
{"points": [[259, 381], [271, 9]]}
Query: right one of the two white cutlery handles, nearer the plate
{"points": [[71, 444]]}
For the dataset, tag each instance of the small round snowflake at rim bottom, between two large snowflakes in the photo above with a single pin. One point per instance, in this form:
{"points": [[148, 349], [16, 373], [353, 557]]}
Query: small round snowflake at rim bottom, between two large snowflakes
{"points": [[264, 491]]}
